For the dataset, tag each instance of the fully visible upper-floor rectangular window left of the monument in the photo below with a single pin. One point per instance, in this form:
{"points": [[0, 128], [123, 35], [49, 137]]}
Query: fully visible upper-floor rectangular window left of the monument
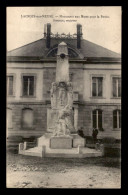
{"points": [[28, 85]]}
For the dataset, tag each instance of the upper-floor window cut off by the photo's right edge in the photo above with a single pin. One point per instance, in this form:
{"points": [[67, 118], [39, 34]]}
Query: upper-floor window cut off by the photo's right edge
{"points": [[116, 87]]}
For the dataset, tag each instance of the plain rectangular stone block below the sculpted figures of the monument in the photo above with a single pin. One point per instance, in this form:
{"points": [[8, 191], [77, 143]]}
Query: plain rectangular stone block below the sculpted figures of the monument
{"points": [[61, 142]]}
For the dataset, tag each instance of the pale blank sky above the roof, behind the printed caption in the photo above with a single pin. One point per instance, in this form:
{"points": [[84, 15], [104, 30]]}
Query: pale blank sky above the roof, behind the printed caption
{"points": [[100, 25]]}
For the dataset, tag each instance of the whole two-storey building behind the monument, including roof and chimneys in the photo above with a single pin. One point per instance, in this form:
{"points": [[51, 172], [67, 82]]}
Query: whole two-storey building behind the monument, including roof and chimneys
{"points": [[94, 71]]}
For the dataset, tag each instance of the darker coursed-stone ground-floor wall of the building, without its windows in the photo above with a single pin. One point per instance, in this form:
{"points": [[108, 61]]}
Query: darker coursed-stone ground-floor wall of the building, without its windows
{"points": [[40, 120]]}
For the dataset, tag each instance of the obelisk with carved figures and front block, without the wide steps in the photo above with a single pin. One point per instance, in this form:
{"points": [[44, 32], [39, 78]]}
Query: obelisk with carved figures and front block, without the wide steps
{"points": [[62, 102]]}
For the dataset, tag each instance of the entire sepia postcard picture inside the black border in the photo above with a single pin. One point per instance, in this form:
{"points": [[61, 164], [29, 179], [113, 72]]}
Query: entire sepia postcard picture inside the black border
{"points": [[63, 97]]}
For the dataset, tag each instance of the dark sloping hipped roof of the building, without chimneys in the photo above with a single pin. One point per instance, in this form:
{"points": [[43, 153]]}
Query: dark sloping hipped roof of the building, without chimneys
{"points": [[87, 50]]}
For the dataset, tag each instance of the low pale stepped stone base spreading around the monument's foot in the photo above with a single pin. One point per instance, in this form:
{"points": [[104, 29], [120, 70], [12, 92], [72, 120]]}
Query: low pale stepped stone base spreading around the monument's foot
{"points": [[46, 149]]}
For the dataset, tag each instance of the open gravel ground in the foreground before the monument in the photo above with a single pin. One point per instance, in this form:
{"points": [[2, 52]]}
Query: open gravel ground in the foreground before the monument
{"points": [[35, 172]]}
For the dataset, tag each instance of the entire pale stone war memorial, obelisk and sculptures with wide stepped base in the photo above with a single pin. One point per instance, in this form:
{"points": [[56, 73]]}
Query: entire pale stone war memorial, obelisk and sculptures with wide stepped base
{"points": [[60, 139]]}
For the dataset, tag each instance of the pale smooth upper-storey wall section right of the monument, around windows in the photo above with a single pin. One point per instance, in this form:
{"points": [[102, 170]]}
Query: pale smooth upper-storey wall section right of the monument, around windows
{"points": [[107, 71]]}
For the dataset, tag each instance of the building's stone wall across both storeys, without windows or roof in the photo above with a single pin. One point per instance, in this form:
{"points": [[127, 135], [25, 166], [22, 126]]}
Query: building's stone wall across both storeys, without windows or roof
{"points": [[81, 79]]}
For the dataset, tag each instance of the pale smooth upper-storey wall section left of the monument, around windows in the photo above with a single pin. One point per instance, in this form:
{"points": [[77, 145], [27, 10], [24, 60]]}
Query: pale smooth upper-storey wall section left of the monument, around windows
{"points": [[20, 69]]}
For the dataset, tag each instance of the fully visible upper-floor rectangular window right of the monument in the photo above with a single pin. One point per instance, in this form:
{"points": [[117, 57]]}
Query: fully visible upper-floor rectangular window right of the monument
{"points": [[97, 83]]}
